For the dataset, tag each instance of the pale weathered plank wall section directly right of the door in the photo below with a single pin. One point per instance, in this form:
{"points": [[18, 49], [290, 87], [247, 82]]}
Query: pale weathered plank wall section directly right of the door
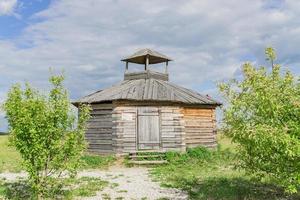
{"points": [[172, 128]]}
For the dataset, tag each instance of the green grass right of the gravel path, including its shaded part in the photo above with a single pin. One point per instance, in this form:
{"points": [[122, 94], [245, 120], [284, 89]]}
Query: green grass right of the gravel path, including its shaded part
{"points": [[206, 174]]}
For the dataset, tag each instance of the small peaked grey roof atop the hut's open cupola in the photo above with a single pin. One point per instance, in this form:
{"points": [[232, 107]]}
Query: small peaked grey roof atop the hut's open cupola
{"points": [[154, 57]]}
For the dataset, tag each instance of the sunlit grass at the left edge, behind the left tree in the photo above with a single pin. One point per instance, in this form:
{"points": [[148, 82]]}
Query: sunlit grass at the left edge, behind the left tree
{"points": [[10, 160]]}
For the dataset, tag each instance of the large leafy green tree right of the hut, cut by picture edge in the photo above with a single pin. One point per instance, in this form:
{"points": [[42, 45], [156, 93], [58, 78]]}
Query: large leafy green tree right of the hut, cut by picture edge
{"points": [[262, 116]]}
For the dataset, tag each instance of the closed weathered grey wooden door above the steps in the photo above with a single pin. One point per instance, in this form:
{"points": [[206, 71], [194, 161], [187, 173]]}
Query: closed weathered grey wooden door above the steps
{"points": [[148, 128]]}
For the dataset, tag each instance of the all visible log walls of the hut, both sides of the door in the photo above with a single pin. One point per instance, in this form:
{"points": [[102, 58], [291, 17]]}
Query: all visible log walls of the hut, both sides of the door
{"points": [[113, 128]]}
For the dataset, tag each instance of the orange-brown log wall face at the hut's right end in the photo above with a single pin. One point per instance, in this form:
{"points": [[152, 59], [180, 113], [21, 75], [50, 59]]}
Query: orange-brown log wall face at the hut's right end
{"points": [[200, 127]]}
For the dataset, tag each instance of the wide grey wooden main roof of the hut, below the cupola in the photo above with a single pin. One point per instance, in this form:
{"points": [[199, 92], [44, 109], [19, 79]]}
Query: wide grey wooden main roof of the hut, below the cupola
{"points": [[148, 90]]}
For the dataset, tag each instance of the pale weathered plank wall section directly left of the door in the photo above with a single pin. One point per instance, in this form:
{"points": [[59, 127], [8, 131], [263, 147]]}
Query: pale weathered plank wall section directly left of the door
{"points": [[124, 129]]}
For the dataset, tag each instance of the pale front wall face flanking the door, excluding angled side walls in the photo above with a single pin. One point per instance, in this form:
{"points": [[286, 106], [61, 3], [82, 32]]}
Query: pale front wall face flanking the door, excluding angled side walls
{"points": [[172, 133]]}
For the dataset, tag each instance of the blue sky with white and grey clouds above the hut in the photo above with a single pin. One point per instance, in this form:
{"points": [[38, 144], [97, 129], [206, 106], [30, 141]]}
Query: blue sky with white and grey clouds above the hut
{"points": [[208, 40]]}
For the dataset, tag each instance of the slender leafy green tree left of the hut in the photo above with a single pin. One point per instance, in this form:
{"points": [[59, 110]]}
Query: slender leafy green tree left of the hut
{"points": [[42, 128]]}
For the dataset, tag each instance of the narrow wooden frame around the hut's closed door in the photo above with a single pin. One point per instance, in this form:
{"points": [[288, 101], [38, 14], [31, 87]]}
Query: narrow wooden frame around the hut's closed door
{"points": [[137, 127]]}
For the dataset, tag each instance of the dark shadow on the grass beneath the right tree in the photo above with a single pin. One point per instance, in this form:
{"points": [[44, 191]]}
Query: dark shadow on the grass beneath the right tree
{"points": [[235, 188]]}
